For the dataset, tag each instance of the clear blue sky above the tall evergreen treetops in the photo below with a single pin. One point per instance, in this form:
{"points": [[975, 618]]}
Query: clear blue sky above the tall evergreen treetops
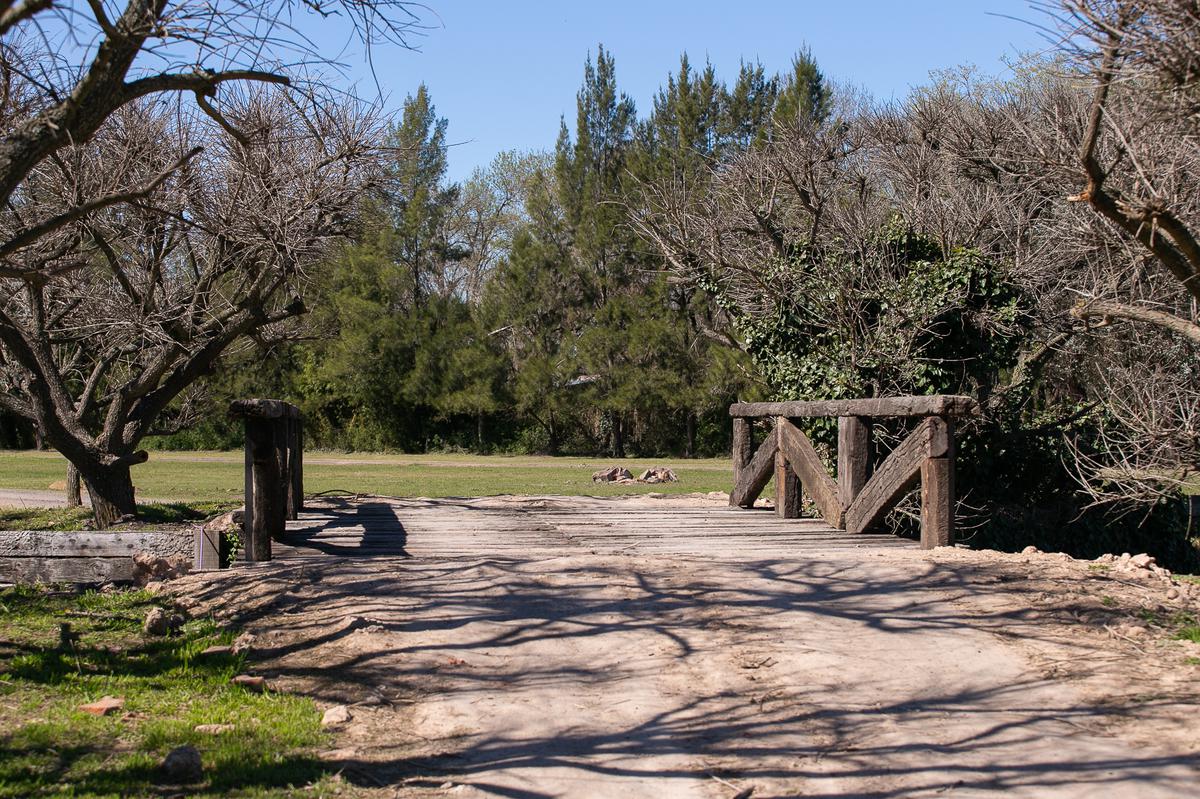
{"points": [[505, 73]]}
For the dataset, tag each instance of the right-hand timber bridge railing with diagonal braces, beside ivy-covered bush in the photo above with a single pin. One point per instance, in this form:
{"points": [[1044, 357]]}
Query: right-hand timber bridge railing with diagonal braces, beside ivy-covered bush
{"points": [[861, 497]]}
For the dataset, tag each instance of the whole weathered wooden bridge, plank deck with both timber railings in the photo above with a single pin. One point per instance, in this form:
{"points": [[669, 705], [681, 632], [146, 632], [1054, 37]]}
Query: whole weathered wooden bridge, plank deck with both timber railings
{"points": [[851, 506]]}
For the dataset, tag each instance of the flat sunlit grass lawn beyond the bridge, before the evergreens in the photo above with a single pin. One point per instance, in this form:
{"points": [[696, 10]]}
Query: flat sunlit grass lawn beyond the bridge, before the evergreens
{"points": [[218, 477]]}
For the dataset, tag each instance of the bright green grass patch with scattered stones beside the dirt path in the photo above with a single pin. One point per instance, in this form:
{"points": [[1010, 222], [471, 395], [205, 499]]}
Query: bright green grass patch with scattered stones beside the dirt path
{"points": [[49, 748]]}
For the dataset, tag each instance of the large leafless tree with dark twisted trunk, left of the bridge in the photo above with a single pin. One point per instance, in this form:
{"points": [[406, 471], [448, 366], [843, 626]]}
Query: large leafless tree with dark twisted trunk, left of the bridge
{"points": [[142, 235]]}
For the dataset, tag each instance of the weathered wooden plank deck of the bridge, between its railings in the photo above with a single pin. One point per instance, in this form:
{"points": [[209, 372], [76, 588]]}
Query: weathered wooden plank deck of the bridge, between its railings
{"points": [[556, 526]]}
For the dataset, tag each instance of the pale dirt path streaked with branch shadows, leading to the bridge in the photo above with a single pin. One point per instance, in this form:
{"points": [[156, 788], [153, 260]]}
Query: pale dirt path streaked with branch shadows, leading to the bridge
{"points": [[854, 674]]}
